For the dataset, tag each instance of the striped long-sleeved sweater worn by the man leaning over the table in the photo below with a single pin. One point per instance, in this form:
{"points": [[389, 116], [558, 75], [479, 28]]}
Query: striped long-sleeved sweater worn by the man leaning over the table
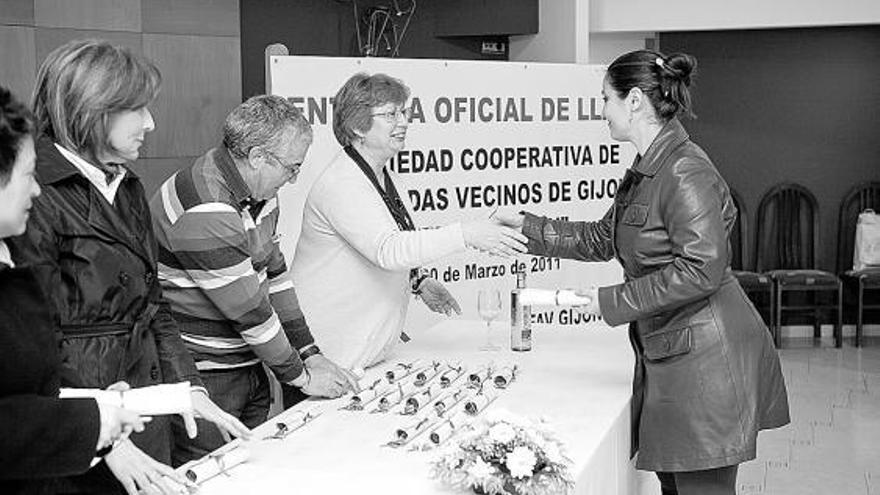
{"points": [[223, 272]]}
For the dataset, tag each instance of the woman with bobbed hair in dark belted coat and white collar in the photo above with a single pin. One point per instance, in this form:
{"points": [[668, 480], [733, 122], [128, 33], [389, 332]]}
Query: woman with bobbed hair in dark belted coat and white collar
{"points": [[90, 240]]}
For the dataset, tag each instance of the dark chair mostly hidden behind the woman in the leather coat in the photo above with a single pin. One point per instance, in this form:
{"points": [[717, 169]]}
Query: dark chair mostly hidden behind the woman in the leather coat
{"points": [[758, 286]]}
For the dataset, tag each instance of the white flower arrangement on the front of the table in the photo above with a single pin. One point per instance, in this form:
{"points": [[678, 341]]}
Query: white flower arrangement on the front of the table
{"points": [[502, 454]]}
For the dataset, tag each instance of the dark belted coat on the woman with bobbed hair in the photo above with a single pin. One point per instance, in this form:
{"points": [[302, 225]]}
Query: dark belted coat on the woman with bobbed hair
{"points": [[97, 264]]}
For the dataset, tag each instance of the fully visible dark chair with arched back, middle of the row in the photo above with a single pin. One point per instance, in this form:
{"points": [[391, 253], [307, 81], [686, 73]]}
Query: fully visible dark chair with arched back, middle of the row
{"points": [[787, 249]]}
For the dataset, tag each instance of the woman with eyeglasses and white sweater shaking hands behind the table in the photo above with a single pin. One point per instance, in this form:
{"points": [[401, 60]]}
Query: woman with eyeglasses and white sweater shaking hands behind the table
{"points": [[358, 256]]}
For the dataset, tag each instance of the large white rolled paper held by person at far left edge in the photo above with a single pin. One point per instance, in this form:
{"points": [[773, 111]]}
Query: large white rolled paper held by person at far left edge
{"points": [[154, 400]]}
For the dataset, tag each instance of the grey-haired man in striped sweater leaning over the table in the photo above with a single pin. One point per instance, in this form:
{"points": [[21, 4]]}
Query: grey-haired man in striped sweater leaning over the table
{"points": [[223, 272]]}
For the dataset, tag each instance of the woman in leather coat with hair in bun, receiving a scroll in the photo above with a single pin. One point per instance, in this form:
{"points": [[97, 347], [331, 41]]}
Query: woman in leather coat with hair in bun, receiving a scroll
{"points": [[707, 377]]}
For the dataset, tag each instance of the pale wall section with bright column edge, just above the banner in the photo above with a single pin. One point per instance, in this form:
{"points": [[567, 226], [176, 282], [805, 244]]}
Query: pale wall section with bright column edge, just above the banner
{"points": [[563, 34]]}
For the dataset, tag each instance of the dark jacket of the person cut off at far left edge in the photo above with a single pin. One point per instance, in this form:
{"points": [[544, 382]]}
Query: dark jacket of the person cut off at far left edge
{"points": [[41, 436]]}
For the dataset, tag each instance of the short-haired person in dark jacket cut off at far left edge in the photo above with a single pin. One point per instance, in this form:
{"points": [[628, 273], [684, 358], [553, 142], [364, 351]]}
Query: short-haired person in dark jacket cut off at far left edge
{"points": [[43, 437]]}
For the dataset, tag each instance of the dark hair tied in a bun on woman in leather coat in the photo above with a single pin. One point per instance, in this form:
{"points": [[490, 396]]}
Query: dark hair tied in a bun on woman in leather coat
{"points": [[665, 80]]}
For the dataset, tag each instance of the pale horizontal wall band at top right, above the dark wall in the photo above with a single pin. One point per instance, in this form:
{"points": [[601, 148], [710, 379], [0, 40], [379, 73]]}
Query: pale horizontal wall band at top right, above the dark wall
{"points": [[703, 15]]}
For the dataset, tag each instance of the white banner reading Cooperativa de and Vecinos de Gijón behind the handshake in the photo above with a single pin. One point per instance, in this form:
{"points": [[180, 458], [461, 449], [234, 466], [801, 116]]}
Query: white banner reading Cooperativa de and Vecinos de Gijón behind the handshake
{"points": [[484, 135]]}
